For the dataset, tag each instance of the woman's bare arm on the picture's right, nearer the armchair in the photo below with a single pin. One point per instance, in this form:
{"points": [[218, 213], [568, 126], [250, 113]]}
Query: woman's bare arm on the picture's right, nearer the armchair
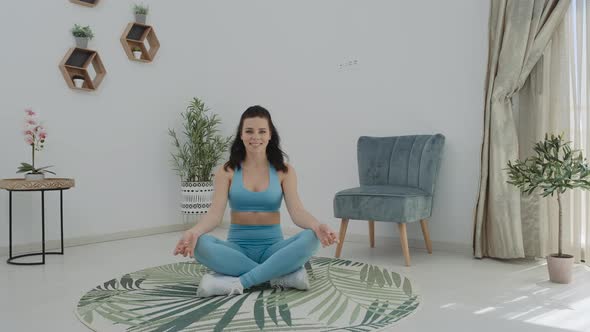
{"points": [[299, 215]]}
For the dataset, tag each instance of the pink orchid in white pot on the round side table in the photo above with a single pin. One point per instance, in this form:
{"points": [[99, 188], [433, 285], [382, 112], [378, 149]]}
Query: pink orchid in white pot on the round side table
{"points": [[35, 136]]}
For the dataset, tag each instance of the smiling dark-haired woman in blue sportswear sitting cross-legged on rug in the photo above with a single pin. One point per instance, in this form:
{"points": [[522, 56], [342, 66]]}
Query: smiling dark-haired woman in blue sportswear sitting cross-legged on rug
{"points": [[254, 181]]}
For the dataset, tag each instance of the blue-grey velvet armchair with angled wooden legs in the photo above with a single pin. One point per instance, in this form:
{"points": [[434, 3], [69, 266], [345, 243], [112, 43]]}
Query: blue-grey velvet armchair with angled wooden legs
{"points": [[397, 178]]}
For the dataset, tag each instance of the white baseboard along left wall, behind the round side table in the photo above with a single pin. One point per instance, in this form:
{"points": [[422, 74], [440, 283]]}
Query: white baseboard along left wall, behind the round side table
{"points": [[83, 240]]}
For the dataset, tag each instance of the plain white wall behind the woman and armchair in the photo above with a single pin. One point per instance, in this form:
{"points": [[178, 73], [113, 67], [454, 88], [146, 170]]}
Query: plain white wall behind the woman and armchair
{"points": [[420, 69]]}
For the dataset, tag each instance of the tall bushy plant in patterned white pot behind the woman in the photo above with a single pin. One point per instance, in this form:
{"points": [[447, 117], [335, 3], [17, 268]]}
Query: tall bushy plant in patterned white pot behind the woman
{"points": [[196, 156]]}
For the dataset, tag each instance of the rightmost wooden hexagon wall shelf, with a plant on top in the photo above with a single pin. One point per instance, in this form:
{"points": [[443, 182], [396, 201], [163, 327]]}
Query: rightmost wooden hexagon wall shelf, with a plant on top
{"points": [[136, 35]]}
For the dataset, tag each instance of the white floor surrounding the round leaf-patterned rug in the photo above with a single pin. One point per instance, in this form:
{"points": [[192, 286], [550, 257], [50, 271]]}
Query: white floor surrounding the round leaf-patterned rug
{"points": [[459, 293]]}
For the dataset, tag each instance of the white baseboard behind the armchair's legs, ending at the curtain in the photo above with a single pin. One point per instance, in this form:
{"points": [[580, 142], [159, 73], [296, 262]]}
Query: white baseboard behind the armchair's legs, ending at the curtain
{"points": [[395, 241]]}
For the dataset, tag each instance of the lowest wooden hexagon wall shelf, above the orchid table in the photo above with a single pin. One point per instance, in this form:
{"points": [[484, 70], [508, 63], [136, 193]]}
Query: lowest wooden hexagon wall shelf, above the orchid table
{"points": [[83, 63]]}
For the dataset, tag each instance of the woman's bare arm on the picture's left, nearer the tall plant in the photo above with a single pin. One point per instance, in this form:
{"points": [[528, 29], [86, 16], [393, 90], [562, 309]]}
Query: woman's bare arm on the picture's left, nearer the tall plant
{"points": [[221, 182]]}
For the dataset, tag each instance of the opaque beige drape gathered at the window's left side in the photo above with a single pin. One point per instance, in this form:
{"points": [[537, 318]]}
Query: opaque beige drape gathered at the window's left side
{"points": [[519, 32]]}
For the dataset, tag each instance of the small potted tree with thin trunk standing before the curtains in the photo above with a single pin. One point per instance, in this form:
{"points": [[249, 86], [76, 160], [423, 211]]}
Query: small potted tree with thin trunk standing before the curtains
{"points": [[555, 169]]}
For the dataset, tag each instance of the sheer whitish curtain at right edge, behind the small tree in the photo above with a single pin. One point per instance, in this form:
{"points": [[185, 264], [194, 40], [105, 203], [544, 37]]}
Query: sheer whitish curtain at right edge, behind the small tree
{"points": [[555, 99]]}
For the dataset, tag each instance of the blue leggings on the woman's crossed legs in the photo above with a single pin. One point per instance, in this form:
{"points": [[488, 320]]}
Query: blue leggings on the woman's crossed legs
{"points": [[256, 253]]}
